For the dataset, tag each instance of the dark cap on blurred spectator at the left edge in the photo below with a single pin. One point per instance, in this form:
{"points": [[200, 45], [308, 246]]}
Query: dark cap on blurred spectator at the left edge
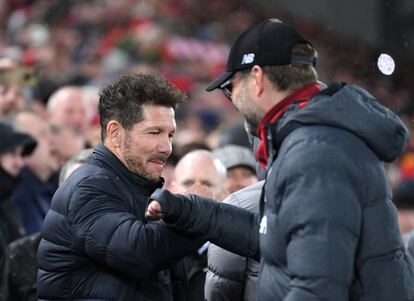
{"points": [[11, 139]]}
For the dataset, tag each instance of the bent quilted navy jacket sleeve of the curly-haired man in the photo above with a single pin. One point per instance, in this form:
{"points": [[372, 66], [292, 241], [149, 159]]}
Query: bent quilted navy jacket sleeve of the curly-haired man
{"points": [[104, 229]]}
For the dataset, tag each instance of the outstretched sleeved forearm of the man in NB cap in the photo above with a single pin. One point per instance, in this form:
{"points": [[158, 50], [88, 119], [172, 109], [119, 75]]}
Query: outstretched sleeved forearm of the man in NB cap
{"points": [[229, 227]]}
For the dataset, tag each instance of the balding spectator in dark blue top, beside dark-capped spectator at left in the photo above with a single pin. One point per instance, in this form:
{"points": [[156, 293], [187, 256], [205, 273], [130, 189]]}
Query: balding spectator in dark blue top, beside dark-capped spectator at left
{"points": [[35, 190]]}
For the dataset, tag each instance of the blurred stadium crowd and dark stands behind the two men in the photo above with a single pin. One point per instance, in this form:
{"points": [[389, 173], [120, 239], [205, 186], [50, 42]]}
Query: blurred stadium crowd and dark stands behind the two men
{"points": [[88, 43]]}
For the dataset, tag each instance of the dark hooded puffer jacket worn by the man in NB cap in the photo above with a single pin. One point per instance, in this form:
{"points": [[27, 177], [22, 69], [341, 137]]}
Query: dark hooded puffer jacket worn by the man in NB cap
{"points": [[329, 229]]}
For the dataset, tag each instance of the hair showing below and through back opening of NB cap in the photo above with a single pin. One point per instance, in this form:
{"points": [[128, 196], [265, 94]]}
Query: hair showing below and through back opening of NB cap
{"points": [[294, 76]]}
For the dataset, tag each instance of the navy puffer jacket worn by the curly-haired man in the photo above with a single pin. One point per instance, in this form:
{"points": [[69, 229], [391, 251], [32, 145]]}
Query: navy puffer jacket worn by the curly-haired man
{"points": [[96, 244]]}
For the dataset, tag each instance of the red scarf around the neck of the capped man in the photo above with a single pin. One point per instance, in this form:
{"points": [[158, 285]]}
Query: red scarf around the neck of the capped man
{"points": [[301, 95]]}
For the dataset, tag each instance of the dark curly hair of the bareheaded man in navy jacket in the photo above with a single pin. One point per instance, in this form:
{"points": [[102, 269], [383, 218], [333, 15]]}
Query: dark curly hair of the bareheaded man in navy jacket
{"points": [[122, 100]]}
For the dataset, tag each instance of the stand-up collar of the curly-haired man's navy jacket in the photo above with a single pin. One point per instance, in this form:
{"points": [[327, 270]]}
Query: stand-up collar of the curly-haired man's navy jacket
{"points": [[109, 160]]}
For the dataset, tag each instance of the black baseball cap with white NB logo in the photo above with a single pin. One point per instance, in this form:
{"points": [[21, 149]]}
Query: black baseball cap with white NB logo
{"points": [[268, 43]]}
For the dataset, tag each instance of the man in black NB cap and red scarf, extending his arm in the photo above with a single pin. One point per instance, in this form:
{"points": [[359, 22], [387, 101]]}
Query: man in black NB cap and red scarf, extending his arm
{"points": [[327, 228]]}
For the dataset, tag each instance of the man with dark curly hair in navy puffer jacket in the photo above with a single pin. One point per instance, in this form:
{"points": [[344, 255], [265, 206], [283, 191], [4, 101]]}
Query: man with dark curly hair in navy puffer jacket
{"points": [[96, 243]]}
